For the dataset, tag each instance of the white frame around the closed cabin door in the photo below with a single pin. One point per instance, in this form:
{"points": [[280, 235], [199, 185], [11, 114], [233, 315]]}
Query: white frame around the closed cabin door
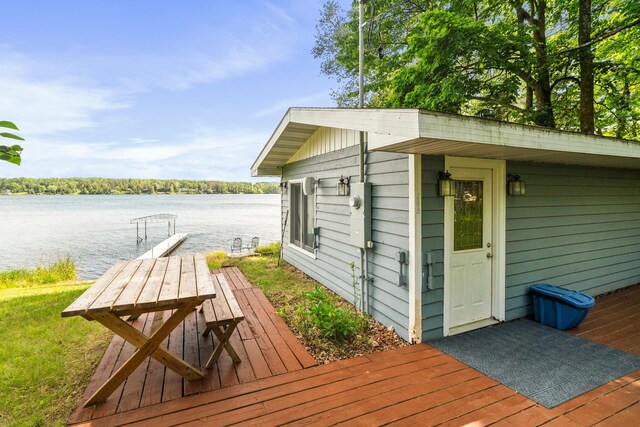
{"points": [[498, 278]]}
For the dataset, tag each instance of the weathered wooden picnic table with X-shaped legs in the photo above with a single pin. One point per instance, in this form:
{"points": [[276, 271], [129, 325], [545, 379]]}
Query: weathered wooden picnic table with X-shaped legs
{"points": [[134, 287]]}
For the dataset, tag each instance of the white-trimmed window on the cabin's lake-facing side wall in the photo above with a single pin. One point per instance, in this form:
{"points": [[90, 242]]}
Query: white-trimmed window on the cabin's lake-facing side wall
{"points": [[302, 214]]}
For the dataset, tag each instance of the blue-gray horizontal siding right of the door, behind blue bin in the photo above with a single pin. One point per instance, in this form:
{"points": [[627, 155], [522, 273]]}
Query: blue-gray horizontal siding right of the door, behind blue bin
{"points": [[577, 227]]}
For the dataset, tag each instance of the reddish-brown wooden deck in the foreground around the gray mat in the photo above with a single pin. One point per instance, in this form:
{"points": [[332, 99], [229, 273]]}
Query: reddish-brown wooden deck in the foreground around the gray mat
{"points": [[415, 385]]}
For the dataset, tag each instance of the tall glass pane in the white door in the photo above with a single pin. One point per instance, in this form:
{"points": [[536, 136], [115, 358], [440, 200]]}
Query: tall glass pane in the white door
{"points": [[467, 211]]}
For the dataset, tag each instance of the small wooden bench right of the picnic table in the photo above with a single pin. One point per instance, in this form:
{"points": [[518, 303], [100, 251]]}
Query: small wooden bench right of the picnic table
{"points": [[222, 315]]}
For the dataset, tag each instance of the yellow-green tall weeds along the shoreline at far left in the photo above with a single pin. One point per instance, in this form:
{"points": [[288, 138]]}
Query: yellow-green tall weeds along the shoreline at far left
{"points": [[59, 271]]}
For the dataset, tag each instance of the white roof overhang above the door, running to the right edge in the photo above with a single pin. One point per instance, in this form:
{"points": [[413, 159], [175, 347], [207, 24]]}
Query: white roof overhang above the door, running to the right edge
{"points": [[442, 134]]}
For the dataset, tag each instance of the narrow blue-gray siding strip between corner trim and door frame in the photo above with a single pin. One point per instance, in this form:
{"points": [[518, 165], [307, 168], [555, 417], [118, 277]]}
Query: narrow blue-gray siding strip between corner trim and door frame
{"points": [[433, 241]]}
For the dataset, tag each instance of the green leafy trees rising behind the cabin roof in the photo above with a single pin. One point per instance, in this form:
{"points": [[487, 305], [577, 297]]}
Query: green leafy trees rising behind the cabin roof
{"points": [[571, 64]]}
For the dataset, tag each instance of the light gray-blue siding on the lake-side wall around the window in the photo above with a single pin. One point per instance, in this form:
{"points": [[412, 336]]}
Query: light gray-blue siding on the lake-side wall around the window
{"points": [[388, 174]]}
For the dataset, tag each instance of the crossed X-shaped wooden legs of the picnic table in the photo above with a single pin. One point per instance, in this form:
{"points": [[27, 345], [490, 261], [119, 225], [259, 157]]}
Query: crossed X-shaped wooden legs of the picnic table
{"points": [[146, 347]]}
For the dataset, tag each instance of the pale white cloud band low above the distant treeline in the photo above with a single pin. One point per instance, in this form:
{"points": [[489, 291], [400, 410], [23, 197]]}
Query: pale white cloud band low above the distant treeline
{"points": [[207, 153]]}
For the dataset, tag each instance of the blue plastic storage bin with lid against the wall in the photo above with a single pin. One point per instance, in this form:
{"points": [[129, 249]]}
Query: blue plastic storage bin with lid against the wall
{"points": [[559, 307]]}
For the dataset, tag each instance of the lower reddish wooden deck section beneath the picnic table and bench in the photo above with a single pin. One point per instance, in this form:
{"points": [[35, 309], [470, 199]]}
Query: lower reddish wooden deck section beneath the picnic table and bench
{"points": [[263, 341]]}
